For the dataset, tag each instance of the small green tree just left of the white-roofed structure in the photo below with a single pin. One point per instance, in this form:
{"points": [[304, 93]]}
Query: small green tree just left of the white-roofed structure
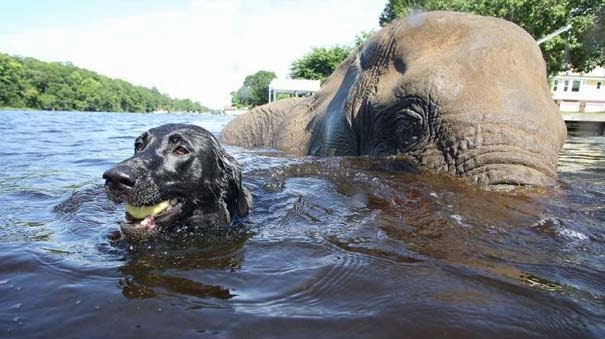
{"points": [[254, 91]]}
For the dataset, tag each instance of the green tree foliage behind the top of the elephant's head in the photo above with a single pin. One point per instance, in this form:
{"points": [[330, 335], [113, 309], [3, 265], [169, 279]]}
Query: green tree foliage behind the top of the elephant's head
{"points": [[538, 17]]}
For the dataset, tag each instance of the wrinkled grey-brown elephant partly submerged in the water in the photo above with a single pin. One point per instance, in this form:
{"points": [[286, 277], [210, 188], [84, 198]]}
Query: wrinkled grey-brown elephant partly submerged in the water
{"points": [[455, 93]]}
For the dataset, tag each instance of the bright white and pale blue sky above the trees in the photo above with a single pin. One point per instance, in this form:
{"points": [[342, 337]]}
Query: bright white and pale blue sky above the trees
{"points": [[197, 49]]}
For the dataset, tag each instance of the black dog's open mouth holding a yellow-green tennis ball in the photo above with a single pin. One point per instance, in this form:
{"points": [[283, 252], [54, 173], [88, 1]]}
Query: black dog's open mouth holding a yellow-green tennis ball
{"points": [[150, 219]]}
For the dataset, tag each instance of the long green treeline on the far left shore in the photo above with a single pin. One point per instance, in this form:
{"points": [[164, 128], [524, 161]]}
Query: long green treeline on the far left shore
{"points": [[31, 83]]}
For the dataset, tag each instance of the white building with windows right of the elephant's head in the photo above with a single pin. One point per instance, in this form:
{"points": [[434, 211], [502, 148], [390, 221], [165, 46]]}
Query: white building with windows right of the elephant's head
{"points": [[580, 92]]}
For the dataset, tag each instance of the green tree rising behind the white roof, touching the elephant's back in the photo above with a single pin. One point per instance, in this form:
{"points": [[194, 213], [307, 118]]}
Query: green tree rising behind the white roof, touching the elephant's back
{"points": [[319, 63]]}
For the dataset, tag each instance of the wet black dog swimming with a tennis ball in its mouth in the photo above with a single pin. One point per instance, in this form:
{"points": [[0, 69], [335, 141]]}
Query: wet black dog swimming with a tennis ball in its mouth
{"points": [[179, 176]]}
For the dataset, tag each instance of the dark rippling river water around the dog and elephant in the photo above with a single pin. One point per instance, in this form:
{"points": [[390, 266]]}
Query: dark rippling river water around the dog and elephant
{"points": [[339, 247]]}
